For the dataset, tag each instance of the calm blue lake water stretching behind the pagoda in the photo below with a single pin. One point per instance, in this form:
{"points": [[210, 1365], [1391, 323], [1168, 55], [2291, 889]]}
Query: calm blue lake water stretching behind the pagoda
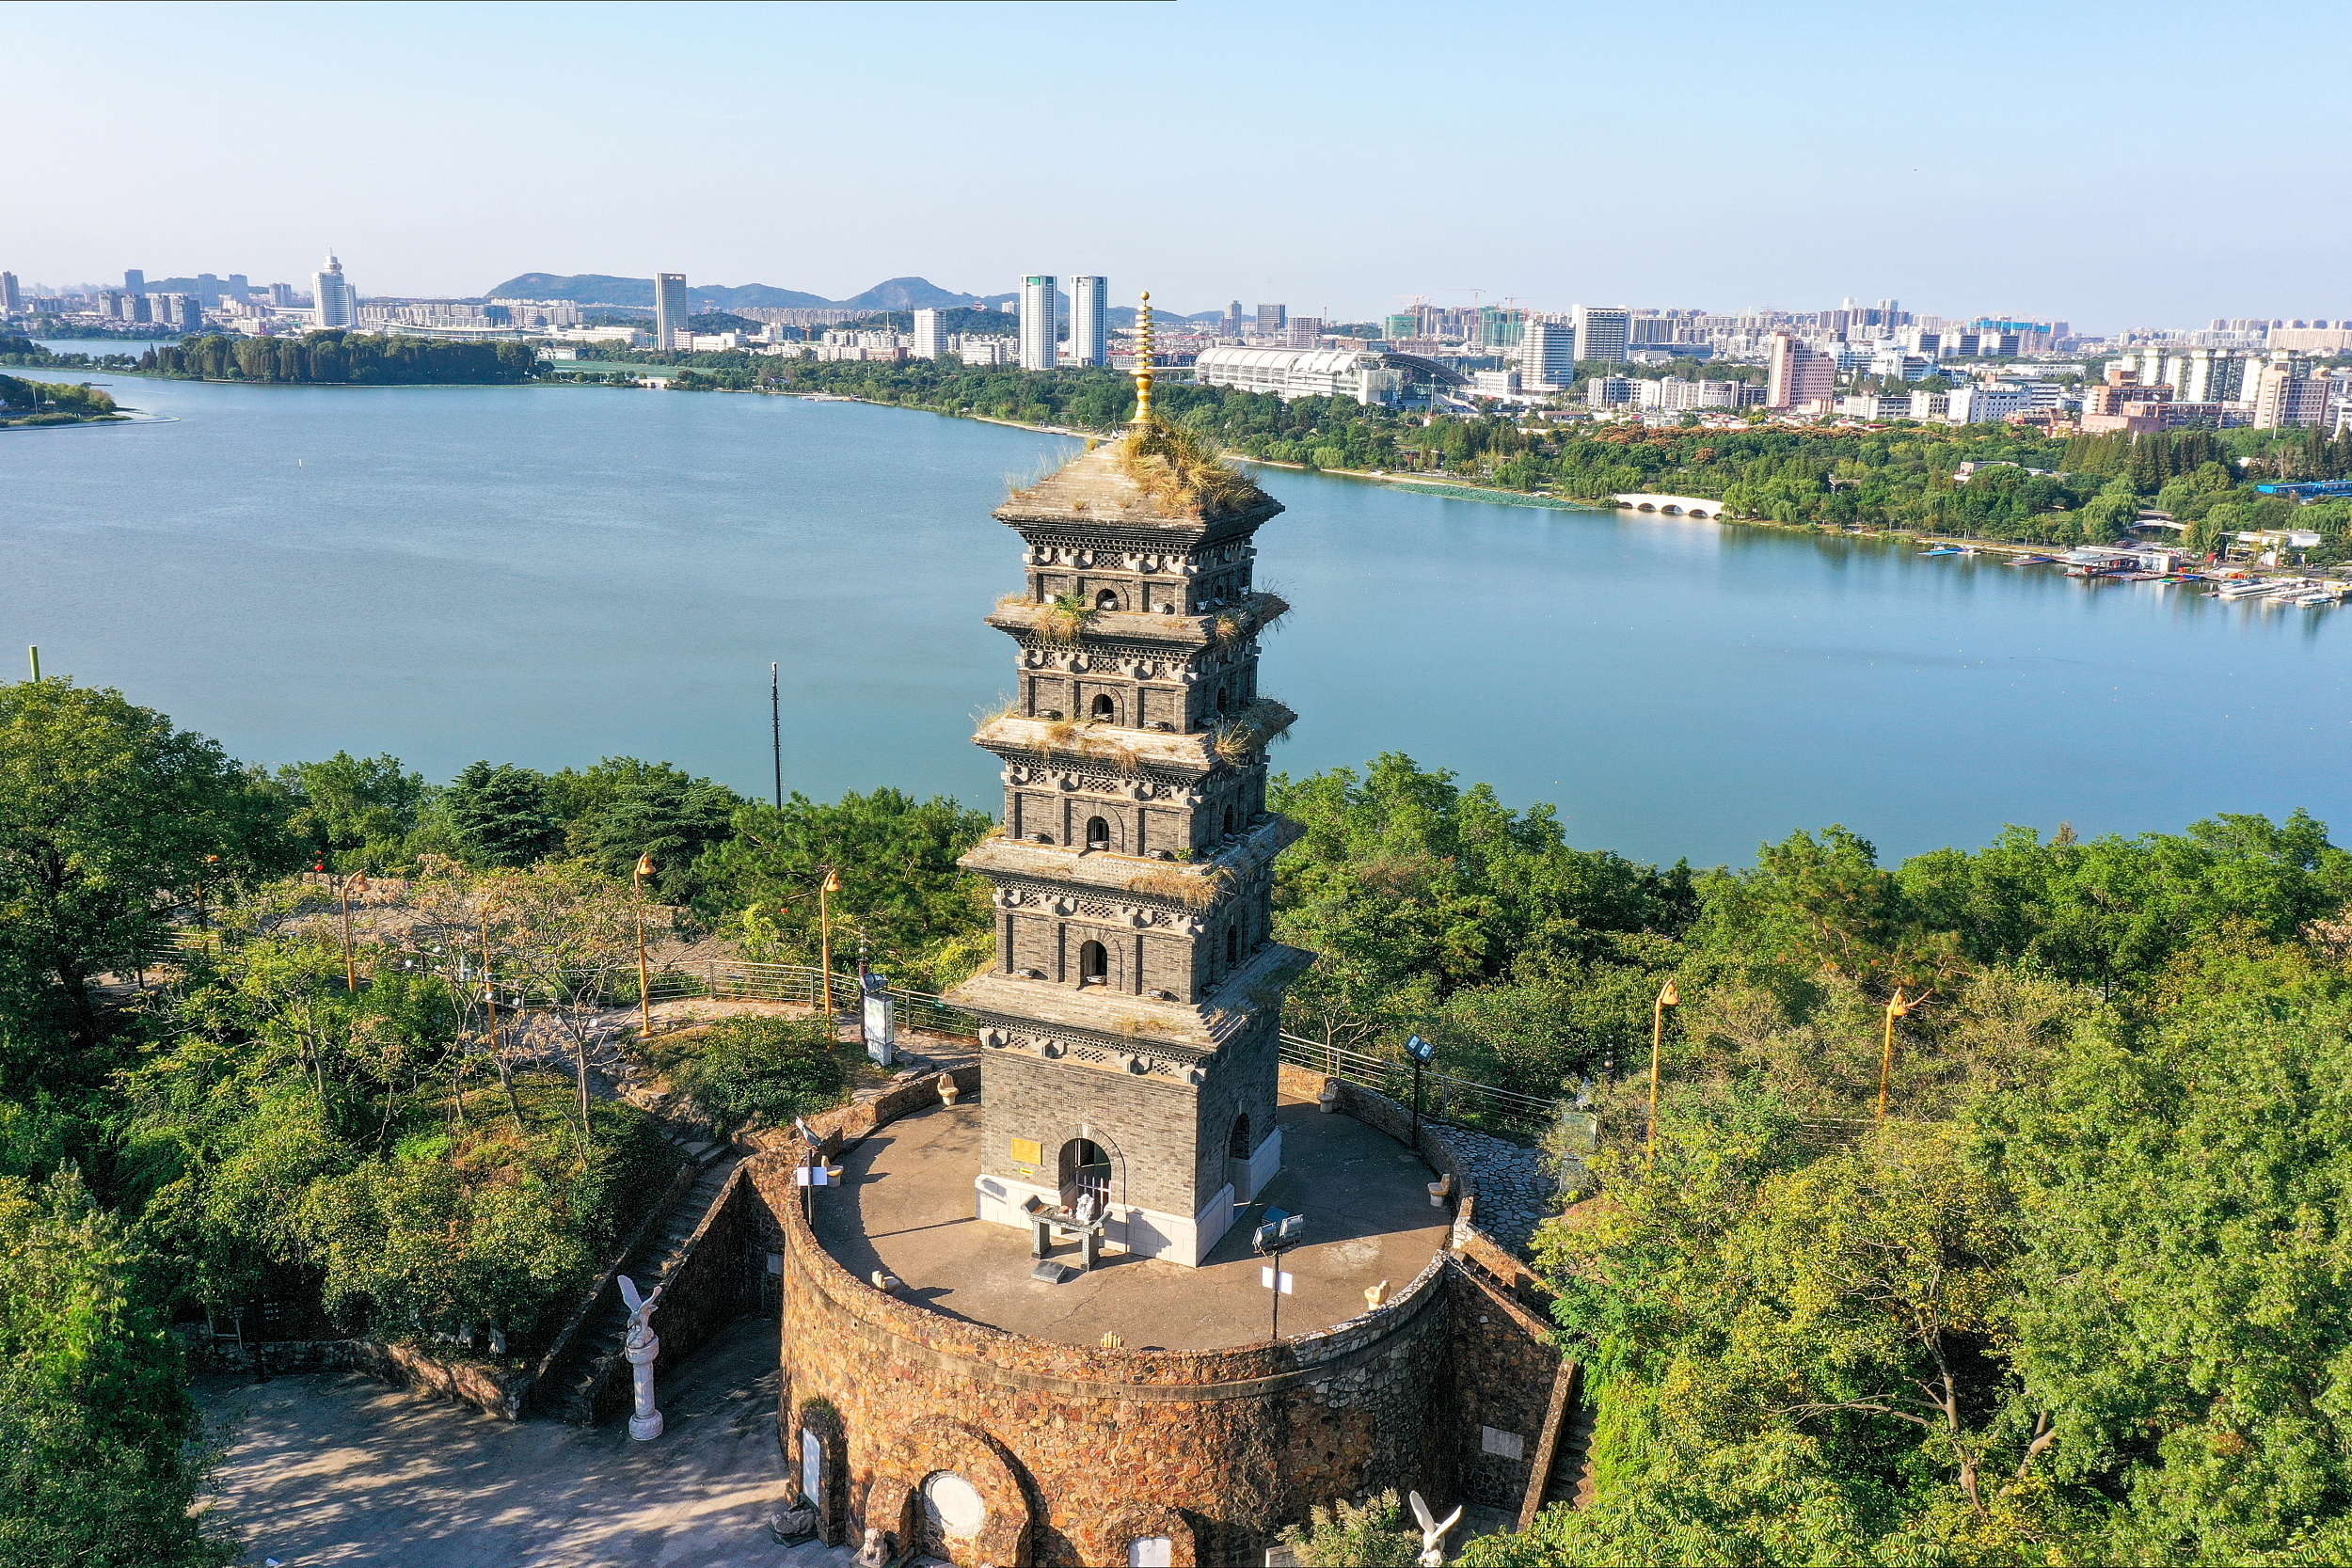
{"points": [[559, 575]]}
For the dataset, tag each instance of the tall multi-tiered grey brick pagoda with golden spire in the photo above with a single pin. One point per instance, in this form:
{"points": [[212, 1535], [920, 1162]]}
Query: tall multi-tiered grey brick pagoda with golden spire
{"points": [[1130, 1019]]}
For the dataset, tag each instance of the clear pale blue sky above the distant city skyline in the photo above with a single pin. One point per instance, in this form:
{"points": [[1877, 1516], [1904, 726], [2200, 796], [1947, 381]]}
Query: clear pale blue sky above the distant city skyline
{"points": [[2106, 163]]}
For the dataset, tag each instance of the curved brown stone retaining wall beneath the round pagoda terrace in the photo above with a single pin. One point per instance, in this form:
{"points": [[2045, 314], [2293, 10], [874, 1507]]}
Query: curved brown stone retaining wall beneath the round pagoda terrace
{"points": [[1229, 1442]]}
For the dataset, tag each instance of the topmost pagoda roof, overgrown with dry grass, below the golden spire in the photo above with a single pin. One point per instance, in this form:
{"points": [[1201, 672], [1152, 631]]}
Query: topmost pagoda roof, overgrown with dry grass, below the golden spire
{"points": [[1104, 490]]}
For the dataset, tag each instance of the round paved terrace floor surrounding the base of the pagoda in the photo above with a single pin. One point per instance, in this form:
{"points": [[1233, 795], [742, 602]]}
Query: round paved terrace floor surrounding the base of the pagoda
{"points": [[907, 1205]]}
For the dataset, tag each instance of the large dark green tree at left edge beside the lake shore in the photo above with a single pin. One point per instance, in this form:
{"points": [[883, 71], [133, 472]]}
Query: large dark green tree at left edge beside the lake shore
{"points": [[109, 822]]}
